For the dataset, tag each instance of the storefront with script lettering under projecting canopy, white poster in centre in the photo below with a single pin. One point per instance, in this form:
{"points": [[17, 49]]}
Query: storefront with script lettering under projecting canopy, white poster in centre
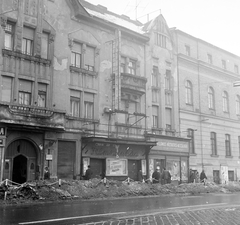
{"points": [[117, 159]]}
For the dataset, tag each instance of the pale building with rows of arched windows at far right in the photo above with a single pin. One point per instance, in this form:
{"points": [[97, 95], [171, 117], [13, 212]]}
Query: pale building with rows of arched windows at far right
{"points": [[209, 106]]}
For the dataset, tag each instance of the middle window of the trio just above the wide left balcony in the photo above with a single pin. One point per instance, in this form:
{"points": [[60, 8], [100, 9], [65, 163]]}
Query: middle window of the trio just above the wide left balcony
{"points": [[24, 94]]}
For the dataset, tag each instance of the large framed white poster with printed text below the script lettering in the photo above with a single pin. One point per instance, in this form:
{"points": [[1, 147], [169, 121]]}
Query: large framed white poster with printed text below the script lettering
{"points": [[116, 167]]}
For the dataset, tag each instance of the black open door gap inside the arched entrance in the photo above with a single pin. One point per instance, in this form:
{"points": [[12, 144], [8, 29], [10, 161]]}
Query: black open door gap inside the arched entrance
{"points": [[19, 169]]}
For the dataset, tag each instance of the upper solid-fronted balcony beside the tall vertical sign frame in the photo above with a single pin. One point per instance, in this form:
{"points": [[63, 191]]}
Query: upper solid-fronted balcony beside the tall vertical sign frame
{"points": [[133, 83]]}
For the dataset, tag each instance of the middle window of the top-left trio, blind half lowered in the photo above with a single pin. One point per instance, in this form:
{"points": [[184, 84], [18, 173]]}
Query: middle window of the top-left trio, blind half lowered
{"points": [[27, 41]]}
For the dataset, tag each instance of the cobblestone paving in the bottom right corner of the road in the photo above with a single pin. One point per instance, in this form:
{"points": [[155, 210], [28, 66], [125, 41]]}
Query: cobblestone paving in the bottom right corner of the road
{"points": [[219, 216]]}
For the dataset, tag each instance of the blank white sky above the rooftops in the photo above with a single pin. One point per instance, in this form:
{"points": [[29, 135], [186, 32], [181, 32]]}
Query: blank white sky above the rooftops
{"points": [[214, 21]]}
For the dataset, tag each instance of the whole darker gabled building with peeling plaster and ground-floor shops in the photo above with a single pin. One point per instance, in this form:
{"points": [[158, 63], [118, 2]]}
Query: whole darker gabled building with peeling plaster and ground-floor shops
{"points": [[82, 85]]}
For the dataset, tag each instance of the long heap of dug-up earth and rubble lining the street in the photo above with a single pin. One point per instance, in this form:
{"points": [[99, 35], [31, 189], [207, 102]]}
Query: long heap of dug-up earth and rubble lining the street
{"points": [[54, 190]]}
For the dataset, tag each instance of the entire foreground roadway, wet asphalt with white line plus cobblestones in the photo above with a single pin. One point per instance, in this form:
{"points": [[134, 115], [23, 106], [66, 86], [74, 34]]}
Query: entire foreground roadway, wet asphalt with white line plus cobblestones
{"points": [[167, 210]]}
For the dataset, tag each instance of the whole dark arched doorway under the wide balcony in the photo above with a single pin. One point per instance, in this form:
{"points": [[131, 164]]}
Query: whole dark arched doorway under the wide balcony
{"points": [[21, 161]]}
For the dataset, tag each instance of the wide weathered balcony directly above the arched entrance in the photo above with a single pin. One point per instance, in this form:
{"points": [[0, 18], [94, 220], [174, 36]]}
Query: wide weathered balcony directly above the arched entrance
{"points": [[33, 116]]}
